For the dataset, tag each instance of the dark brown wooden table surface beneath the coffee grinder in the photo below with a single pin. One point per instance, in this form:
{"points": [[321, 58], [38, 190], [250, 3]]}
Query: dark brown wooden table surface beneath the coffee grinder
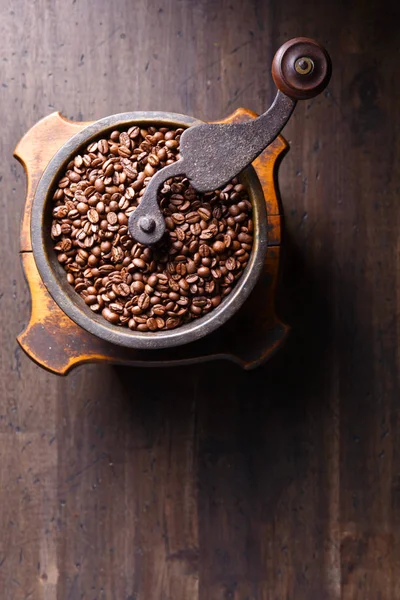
{"points": [[210, 483]]}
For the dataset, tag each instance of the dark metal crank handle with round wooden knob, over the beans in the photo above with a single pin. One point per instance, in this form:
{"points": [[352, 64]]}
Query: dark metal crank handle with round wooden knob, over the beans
{"points": [[212, 154]]}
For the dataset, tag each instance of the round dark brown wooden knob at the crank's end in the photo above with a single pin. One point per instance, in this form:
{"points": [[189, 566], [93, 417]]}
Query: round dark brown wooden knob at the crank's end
{"points": [[301, 68]]}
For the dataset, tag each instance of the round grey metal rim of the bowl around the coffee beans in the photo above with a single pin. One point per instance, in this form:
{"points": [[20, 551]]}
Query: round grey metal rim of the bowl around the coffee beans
{"points": [[76, 309]]}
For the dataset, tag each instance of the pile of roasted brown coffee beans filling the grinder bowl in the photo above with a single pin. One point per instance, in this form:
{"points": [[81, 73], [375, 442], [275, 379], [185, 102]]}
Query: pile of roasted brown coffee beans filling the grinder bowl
{"points": [[203, 254]]}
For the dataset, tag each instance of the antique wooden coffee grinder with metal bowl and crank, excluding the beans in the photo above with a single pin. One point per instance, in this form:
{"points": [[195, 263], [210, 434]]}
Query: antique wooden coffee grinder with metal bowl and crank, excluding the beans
{"points": [[63, 332]]}
